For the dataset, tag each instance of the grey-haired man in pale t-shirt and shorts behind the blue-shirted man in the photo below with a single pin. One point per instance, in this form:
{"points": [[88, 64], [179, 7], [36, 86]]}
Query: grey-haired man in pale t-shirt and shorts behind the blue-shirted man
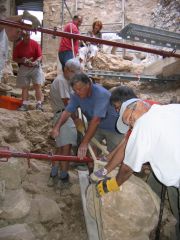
{"points": [[67, 137]]}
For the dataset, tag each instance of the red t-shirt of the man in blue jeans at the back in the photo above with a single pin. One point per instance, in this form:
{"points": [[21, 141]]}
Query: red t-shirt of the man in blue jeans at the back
{"points": [[65, 43]]}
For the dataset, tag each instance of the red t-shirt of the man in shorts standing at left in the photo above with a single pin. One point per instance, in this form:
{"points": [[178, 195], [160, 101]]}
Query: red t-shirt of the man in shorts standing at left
{"points": [[28, 50]]}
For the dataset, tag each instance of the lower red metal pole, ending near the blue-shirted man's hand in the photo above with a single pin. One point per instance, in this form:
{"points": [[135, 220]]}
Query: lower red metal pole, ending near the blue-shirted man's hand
{"points": [[7, 154]]}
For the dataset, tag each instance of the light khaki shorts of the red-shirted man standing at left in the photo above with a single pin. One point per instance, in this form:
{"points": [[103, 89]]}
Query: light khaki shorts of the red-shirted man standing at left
{"points": [[28, 74]]}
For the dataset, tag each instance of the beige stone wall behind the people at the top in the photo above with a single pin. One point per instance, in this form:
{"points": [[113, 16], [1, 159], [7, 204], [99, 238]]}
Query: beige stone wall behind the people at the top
{"points": [[107, 11]]}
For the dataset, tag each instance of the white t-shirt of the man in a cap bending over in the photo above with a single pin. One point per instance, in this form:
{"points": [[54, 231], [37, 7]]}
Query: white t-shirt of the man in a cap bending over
{"points": [[156, 139]]}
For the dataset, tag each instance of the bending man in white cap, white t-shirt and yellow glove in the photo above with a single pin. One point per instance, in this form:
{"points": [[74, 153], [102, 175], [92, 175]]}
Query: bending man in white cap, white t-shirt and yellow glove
{"points": [[150, 141]]}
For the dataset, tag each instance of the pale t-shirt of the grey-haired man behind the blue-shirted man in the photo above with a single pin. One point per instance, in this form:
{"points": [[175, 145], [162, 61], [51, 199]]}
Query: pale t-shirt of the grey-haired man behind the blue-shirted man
{"points": [[60, 88]]}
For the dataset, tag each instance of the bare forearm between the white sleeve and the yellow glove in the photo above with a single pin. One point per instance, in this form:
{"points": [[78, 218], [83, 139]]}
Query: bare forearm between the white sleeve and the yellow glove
{"points": [[124, 173]]}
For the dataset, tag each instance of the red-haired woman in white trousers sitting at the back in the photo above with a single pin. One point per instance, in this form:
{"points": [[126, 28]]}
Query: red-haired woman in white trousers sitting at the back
{"points": [[89, 52]]}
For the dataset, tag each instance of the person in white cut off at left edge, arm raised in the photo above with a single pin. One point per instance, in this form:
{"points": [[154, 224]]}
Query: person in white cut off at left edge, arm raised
{"points": [[12, 34]]}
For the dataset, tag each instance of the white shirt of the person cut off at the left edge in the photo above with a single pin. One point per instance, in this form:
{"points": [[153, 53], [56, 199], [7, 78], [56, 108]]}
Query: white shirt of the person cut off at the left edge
{"points": [[3, 50]]}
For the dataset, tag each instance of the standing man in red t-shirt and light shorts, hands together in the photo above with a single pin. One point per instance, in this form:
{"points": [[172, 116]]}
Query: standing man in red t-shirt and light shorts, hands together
{"points": [[28, 55]]}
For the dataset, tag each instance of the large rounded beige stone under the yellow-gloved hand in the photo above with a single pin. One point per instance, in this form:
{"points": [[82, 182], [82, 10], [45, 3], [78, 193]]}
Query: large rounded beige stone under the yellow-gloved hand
{"points": [[130, 214]]}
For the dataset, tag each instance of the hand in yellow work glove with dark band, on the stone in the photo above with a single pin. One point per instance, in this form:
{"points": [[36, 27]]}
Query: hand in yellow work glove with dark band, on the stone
{"points": [[107, 185]]}
